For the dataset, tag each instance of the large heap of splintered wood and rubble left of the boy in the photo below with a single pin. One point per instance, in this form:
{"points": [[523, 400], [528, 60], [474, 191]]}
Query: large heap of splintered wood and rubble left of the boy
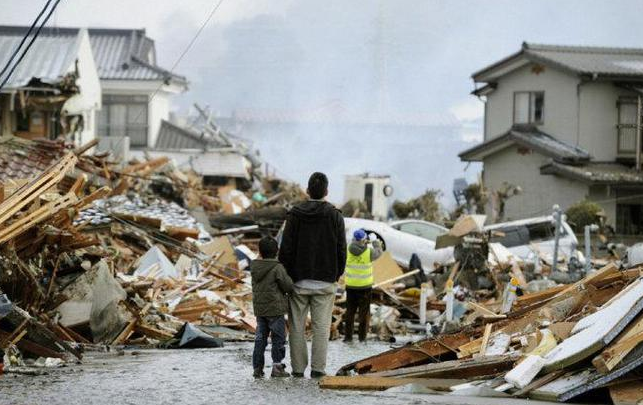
{"points": [[94, 251]]}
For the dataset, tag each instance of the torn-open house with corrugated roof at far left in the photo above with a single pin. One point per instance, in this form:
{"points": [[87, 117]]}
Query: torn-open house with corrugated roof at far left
{"points": [[54, 91]]}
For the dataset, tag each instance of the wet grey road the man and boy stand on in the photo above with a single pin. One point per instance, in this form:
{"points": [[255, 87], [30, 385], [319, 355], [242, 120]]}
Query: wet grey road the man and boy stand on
{"points": [[214, 376]]}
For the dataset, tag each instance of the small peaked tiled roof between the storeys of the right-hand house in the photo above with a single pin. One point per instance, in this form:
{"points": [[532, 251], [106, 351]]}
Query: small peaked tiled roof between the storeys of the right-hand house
{"points": [[529, 137]]}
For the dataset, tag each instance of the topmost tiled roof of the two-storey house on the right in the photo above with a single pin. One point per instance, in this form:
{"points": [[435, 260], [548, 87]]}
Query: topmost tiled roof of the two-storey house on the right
{"points": [[583, 60]]}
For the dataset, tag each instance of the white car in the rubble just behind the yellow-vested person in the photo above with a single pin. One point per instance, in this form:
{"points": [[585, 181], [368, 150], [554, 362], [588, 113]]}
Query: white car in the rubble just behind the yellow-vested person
{"points": [[405, 237]]}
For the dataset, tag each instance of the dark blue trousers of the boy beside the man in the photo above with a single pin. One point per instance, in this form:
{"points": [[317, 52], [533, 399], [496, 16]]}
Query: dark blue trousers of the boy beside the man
{"points": [[275, 326]]}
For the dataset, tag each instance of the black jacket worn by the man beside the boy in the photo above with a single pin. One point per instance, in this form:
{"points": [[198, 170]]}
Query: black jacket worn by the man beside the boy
{"points": [[313, 246]]}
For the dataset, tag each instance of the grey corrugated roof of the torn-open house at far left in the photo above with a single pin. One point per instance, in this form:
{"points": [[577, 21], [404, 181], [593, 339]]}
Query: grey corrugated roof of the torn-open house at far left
{"points": [[49, 59]]}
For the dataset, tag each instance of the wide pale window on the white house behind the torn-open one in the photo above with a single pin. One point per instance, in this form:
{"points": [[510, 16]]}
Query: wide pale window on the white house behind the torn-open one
{"points": [[124, 116]]}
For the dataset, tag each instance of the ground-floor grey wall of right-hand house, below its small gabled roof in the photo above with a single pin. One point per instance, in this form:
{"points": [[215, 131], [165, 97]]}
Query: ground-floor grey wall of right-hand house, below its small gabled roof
{"points": [[539, 192]]}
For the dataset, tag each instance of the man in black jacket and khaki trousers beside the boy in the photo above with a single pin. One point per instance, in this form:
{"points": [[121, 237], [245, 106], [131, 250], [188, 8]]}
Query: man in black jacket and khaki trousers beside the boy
{"points": [[313, 250]]}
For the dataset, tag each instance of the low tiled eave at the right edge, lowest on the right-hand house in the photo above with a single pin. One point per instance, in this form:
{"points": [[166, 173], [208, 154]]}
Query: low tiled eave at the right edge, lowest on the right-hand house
{"points": [[596, 173]]}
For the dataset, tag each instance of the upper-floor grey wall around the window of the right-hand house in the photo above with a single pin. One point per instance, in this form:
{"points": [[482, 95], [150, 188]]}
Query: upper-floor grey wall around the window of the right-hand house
{"points": [[561, 103]]}
